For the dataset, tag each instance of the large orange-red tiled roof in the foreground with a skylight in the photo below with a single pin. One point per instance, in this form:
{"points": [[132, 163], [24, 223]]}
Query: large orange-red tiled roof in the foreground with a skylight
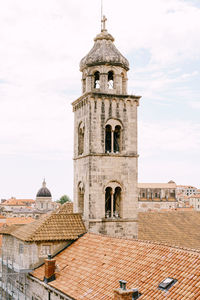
{"points": [[93, 265]]}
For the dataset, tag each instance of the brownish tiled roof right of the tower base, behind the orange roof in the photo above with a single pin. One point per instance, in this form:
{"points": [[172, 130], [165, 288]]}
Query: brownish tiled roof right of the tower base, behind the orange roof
{"points": [[180, 228]]}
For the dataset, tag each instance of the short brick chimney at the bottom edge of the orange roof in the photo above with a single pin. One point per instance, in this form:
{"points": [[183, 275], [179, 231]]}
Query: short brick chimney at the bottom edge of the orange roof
{"points": [[123, 294]]}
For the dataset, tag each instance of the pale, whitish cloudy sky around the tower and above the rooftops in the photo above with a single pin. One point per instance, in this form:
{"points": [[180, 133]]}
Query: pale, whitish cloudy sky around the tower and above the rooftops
{"points": [[42, 43]]}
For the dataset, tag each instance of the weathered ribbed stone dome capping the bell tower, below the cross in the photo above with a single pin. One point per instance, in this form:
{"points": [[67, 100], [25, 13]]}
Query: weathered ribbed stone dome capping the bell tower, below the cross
{"points": [[104, 52]]}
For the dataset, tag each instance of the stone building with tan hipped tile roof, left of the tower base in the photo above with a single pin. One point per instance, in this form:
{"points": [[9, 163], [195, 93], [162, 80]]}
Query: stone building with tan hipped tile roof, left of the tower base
{"points": [[25, 247]]}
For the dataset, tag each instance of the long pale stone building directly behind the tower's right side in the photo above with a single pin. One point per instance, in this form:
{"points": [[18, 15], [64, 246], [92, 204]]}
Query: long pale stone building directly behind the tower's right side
{"points": [[156, 196]]}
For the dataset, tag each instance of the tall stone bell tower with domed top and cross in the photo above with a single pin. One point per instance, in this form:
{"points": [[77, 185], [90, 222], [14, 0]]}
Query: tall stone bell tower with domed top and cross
{"points": [[105, 142]]}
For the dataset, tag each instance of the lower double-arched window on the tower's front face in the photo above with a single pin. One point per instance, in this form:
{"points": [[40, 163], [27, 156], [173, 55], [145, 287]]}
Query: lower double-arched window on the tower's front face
{"points": [[113, 201]]}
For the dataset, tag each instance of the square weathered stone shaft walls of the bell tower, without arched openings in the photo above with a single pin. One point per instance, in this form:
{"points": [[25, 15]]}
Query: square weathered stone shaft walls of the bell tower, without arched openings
{"points": [[95, 168]]}
